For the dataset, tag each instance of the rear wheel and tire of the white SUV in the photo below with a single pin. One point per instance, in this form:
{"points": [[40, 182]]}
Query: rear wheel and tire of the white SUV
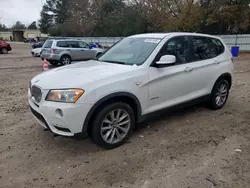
{"points": [[219, 94]]}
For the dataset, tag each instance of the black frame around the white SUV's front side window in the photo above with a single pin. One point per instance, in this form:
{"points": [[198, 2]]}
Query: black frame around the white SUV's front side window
{"points": [[153, 64]]}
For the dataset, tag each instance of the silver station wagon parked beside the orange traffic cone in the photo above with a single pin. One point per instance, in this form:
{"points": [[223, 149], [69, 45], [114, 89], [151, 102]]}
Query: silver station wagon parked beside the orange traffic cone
{"points": [[64, 51]]}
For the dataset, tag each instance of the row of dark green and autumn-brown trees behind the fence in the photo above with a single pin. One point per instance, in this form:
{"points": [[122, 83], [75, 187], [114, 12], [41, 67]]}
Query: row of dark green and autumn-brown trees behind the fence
{"points": [[127, 17]]}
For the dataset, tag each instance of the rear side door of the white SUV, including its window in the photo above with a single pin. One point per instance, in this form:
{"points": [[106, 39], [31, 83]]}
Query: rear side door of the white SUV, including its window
{"points": [[206, 55]]}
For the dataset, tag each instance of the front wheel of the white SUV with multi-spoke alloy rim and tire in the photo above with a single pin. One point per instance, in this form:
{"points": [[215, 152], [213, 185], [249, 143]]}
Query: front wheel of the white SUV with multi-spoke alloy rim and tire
{"points": [[103, 126]]}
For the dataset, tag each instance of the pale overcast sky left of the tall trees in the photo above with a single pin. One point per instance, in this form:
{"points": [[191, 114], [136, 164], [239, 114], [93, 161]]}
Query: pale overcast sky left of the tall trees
{"points": [[25, 11]]}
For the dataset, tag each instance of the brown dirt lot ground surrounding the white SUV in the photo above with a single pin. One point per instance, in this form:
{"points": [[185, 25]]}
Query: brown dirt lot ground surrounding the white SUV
{"points": [[192, 148]]}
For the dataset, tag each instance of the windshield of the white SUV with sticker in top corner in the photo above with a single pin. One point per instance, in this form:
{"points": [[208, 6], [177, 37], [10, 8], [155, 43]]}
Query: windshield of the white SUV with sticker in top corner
{"points": [[130, 51]]}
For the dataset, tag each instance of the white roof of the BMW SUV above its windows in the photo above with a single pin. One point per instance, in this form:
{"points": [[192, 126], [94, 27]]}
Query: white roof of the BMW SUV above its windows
{"points": [[163, 35]]}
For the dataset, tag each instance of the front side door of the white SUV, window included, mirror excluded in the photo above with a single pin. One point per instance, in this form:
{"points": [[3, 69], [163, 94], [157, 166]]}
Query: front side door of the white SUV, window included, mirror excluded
{"points": [[171, 85]]}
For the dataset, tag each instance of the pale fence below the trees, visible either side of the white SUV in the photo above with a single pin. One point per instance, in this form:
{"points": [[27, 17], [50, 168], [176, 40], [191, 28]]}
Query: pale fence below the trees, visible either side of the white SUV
{"points": [[243, 41]]}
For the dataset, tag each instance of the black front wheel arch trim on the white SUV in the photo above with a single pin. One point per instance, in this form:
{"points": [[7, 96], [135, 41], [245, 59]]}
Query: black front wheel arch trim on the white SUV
{"points": [[125, 97]]}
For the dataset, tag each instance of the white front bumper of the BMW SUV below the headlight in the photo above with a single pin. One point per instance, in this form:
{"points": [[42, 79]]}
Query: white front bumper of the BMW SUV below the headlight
{"points": [[70, 124]]}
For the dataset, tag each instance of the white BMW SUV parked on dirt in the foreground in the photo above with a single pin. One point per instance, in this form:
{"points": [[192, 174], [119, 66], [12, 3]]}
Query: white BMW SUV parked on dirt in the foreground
{"points": [[139, 75]]}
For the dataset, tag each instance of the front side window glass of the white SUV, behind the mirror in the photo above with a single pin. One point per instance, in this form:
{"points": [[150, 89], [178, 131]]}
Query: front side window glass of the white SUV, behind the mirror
{"points": [[178, 47]]}
